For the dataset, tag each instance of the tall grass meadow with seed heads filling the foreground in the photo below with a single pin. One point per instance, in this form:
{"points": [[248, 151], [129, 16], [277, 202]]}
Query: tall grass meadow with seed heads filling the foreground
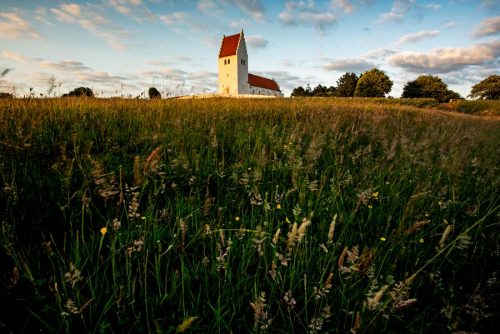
{"points": [[233, 216]]}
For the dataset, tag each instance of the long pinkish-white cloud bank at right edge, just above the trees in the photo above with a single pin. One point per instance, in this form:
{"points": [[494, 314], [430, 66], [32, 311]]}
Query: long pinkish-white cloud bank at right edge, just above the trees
{"points": [[447, 59]]}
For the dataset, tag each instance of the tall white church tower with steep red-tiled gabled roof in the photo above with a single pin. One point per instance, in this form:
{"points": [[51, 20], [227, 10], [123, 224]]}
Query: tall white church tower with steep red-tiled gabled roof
{"points": [[233, 65]]}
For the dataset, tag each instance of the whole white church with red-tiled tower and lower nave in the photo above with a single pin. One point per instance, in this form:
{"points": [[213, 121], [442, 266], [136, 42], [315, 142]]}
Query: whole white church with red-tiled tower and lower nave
{"points": [[234, 78]]}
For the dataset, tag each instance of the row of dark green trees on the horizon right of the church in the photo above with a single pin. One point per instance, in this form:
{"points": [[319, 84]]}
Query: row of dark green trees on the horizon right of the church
{"points": [[376, 83]]}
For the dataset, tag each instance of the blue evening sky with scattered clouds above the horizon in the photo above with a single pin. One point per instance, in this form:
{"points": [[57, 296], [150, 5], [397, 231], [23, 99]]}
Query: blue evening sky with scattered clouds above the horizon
{"points": [[123, 47]]}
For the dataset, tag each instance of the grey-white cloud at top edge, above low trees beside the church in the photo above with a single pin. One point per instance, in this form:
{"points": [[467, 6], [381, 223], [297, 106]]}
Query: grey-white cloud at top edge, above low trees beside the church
{"points": [[304, 13]]}
